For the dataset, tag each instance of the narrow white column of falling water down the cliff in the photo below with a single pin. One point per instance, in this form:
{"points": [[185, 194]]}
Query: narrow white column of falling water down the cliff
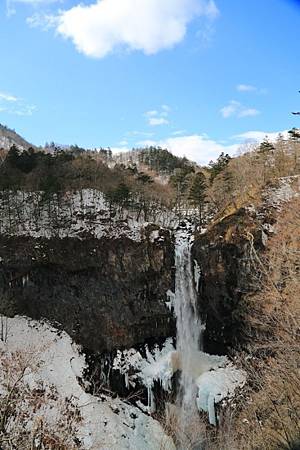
{"points": [[189, 327]]}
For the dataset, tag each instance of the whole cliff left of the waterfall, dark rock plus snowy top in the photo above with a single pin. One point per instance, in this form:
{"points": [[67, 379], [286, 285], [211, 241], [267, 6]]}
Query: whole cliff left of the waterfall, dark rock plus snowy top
{"points": [[101, 274]]}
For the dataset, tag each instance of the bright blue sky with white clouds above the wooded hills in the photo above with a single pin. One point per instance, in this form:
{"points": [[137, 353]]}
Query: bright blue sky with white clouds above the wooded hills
{"points": [[197, 76]]}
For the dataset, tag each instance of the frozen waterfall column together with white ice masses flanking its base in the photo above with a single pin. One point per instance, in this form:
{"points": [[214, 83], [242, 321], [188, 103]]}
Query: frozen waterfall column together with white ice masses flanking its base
{"points": [[205, 379]]}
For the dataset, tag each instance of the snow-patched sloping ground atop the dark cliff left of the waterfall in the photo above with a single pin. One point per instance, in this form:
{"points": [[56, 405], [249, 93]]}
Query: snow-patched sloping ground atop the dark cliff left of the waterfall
{"points": [[74, 214]]}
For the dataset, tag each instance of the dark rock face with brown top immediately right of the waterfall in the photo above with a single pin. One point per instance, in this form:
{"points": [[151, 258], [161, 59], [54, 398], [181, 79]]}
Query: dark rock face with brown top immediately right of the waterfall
{"points": [[226, 277]]}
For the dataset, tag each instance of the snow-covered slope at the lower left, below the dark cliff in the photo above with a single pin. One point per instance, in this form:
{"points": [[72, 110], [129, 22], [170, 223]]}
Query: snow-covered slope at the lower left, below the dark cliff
{"points": [[105, 423]]}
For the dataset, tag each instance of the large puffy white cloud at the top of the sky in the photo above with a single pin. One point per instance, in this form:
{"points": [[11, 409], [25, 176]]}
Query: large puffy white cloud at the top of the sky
{"points": [[144, 25]]}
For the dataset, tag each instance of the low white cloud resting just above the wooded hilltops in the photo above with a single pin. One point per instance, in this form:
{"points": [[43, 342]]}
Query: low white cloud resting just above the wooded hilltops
{"points": [[199, 148]]}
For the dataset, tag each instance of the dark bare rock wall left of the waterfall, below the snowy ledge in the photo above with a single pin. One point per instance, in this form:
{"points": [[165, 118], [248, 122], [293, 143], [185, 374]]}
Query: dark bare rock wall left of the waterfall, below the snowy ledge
{"points": [[105, 293]]}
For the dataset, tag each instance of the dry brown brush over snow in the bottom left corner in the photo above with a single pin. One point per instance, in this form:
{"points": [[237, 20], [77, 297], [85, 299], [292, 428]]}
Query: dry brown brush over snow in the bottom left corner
{"points": [[33, 417]]}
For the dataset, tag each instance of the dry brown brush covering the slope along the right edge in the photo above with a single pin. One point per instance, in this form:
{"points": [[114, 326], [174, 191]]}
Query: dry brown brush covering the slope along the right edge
{"points": [[268, 416]]}
